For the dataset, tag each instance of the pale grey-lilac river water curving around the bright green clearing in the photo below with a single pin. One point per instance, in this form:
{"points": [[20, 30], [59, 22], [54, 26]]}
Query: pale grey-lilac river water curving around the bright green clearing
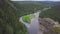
{"points": [[33, 27]]}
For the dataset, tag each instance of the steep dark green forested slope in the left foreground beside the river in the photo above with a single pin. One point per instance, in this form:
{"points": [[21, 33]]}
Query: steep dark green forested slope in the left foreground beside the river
{"points": [[9, 22]]}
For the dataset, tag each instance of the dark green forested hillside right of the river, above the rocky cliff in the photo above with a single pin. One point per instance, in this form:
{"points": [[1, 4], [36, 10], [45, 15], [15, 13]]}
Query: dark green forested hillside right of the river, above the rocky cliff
{"points": [[53, 13]]}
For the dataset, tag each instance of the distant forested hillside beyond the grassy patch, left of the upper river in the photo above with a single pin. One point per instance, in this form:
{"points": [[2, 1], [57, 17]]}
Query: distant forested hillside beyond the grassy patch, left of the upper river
{"points": [[28, 7]]}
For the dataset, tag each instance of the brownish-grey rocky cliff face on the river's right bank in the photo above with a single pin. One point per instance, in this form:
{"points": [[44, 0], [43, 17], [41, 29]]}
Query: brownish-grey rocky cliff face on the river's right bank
{"points": [[48, 26]]}
